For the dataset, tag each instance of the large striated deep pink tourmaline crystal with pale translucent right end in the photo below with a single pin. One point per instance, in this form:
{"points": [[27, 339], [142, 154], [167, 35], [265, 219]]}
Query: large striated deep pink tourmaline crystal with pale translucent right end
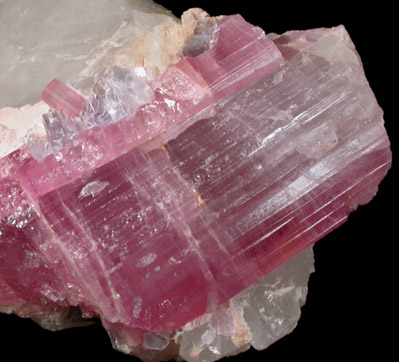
{"points": [[242, 160]]}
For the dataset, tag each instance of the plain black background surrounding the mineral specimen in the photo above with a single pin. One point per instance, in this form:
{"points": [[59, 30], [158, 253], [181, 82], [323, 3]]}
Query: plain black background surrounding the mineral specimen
{"points": [[352, 299]]}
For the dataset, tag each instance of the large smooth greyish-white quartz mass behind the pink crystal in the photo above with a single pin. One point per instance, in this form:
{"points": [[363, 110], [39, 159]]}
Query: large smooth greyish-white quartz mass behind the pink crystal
{"points": [[45, 54]]}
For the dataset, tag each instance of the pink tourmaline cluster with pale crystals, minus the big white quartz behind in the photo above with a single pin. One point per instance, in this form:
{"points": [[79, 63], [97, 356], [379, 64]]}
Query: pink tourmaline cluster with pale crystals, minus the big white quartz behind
{"points": [[178, 198]]}
